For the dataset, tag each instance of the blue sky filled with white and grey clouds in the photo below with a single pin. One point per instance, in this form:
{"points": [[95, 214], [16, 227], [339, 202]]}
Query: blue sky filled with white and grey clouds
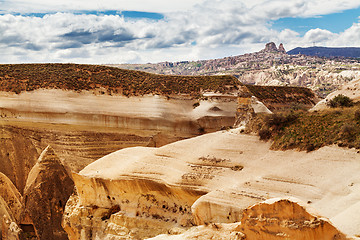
{"points": [[143, 31]]}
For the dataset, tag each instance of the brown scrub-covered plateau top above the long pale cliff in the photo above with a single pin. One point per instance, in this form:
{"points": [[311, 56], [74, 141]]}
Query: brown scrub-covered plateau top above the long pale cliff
{"points": [[28, 77]]}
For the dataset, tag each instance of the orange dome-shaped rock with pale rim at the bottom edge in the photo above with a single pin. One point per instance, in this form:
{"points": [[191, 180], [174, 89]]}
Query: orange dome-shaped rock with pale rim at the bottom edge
{"points": [[285, 219]]}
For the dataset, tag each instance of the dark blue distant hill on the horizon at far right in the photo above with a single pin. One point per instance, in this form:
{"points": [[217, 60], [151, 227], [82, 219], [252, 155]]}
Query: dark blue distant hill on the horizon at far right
{"points": [[352, 52]]}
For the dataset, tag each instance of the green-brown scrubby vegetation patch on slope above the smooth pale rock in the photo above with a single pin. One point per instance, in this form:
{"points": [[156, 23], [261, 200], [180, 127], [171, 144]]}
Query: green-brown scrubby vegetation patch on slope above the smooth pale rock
{"points": [[310, 130]]}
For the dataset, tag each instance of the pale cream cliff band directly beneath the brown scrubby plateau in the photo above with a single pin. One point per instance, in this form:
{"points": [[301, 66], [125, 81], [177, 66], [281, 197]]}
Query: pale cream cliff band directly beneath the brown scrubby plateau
{"points": [[150, 112]]}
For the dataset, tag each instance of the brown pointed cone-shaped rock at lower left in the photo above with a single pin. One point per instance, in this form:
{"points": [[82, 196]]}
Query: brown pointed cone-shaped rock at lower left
{"points": [[48, 187]]}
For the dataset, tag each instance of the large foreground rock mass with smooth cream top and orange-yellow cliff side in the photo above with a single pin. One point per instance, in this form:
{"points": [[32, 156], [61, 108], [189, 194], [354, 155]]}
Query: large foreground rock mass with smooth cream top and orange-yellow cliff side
{"points": [[207, 179]]}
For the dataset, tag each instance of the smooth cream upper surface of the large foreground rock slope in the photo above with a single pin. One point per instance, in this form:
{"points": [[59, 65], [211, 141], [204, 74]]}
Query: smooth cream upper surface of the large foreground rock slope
{"points": [[327, 179]]}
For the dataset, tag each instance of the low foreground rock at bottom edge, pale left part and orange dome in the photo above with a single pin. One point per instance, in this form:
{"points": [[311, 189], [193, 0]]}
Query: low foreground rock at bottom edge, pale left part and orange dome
{"points": [[273, 219]]}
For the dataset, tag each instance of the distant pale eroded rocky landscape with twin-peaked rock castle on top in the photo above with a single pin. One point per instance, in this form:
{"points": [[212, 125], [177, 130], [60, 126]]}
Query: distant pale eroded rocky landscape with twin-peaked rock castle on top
{"points": [[270, 66]]}
